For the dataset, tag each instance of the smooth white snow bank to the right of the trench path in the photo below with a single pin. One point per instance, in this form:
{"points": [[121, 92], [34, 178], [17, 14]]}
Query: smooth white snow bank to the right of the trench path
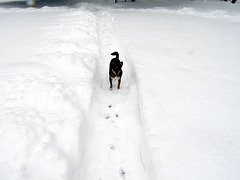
{"points": [[187, 72]]}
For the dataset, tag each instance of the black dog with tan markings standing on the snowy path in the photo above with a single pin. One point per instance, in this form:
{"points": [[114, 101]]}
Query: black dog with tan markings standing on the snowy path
{"points": [[115, 69]]}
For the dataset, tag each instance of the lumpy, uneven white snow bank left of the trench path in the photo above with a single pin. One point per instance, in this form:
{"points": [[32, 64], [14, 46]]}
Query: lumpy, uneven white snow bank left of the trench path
{"points": [[47, 68]]}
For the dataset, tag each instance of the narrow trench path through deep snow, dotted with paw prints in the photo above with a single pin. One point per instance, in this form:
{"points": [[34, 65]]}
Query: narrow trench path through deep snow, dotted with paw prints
{"points": [[115, 148]]}
